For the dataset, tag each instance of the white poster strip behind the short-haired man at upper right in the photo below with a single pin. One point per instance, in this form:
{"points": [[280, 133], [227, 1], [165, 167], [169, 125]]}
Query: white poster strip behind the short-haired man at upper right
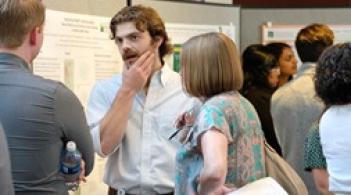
{"points": [[287, 33]]}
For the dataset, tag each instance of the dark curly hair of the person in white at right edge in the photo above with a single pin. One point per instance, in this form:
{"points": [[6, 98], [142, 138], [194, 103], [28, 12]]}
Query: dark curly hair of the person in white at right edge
{"points": [[333, 75]]}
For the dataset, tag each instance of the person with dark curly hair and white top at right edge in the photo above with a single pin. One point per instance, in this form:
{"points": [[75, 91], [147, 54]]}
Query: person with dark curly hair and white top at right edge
{"points": [[333, 86]]}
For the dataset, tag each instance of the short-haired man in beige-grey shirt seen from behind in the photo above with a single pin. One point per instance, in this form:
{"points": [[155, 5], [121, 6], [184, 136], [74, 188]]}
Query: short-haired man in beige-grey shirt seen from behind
{"points": [[295, 105]]}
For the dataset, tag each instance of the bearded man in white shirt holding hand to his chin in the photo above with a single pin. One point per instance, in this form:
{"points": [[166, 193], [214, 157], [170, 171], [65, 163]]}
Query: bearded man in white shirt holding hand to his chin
{"points": [[131, 115]]}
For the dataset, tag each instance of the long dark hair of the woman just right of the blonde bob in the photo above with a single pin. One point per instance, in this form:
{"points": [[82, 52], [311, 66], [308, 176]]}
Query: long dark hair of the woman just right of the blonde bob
{"points": [[257, 64]]}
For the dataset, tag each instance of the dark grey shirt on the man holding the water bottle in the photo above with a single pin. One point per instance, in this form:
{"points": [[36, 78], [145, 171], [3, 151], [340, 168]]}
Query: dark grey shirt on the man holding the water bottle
{"points": [[39, 116]]}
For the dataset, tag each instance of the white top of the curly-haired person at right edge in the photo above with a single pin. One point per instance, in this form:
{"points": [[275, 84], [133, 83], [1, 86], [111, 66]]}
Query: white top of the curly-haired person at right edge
{"points": [[335, 131]]}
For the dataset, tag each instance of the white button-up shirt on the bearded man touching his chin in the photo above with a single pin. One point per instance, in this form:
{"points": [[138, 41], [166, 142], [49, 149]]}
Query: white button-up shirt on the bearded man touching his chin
{"points": [[144, 162]]}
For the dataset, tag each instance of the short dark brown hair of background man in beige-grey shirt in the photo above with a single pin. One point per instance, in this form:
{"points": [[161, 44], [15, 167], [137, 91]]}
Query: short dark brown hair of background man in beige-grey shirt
{"points": [[312, 40]]}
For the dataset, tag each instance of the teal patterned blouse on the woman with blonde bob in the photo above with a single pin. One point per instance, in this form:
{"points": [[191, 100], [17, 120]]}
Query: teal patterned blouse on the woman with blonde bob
{"points": [[237, 119]]}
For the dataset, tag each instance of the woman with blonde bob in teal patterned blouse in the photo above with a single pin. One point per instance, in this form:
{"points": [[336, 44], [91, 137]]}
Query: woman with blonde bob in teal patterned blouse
{"points": [[224, 146]]}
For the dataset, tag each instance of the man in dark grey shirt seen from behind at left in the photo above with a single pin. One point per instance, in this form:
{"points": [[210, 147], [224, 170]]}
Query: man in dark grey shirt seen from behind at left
{"points": [[38, 115]]}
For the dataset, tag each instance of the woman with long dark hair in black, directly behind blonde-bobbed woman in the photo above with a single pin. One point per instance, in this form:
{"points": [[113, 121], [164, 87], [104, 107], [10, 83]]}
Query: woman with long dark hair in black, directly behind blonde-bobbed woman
{"points": [[261, 73]]}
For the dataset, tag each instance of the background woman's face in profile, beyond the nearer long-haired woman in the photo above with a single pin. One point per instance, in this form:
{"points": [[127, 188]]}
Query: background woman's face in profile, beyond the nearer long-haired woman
{"points": [[286, 60]]}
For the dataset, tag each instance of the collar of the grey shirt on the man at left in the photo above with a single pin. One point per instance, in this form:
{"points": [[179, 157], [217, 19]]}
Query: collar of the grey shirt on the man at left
{"points": [[11, 60]]}
